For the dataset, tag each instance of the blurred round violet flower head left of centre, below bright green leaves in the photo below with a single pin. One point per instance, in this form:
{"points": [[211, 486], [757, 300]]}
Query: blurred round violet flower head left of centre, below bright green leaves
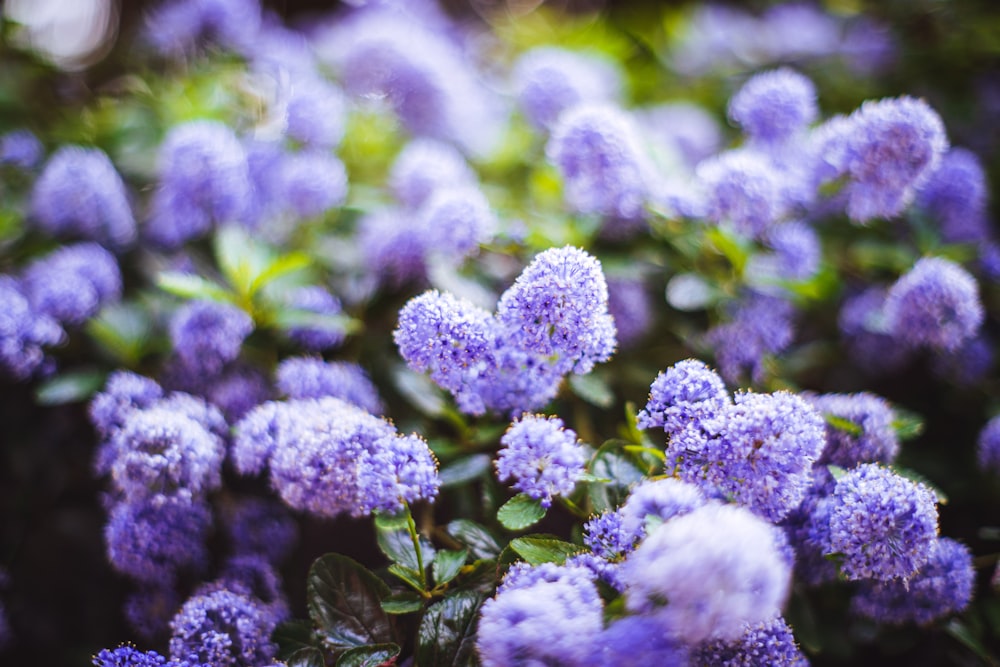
{"points": [[207, 335]]}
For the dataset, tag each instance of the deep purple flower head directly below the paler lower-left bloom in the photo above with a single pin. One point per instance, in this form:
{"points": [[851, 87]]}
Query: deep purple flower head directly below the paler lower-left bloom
{"points": [[151, 539]]}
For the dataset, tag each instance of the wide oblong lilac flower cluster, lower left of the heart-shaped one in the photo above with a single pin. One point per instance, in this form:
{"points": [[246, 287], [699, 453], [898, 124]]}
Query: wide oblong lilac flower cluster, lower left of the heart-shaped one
{"points": [[329, 457]]}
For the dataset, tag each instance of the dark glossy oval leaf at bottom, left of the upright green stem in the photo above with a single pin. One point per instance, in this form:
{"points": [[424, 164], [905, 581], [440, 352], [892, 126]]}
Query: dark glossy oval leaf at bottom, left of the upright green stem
{"points": [[344, 602]]}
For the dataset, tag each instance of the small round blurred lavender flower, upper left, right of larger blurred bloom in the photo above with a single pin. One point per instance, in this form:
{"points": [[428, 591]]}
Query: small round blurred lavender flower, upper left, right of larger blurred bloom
{"points": [[311, 182]]}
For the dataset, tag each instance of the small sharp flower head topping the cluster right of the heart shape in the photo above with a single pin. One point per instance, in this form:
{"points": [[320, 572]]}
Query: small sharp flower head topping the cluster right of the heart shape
{"points": [[686, 394]]}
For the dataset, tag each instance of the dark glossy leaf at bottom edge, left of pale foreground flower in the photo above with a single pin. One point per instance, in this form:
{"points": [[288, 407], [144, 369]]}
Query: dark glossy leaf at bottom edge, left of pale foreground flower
{"points": [[447, 633]]}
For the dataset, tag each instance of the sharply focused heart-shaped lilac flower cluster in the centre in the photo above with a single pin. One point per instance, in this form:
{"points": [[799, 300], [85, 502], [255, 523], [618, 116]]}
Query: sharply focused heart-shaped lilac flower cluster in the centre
{"points": [[552, 321]]}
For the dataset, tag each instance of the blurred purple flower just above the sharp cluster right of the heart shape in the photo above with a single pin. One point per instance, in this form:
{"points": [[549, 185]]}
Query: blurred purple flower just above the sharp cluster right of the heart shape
{"points": [[760, 325]]}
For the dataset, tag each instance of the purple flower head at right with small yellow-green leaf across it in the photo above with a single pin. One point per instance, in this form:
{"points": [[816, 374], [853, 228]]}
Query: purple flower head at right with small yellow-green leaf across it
{"points": [[869, 436]]}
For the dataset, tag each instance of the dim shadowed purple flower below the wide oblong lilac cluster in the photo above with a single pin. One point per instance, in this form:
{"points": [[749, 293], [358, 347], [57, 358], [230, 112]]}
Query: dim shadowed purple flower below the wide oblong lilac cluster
{"points": [[258, 526]]}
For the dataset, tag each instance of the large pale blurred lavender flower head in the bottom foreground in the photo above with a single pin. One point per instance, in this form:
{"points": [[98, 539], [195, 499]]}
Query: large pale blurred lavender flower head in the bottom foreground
{"points": [[705, 574]]}
